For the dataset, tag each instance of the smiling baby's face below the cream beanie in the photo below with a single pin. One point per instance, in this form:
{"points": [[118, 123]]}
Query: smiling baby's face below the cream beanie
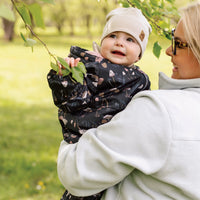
{"points": [[120, 48]]}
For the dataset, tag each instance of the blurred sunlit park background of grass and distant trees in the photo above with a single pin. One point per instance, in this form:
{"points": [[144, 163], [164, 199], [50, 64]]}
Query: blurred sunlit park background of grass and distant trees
{"points": [[29, 129]]}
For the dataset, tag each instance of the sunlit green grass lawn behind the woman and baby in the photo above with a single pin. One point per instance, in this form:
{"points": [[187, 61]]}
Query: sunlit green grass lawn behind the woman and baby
{"points": [[29, 129]]}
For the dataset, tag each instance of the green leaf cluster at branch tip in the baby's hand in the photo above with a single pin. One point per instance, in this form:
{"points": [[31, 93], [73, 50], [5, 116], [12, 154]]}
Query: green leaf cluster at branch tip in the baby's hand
{"points": [[76, 72]]}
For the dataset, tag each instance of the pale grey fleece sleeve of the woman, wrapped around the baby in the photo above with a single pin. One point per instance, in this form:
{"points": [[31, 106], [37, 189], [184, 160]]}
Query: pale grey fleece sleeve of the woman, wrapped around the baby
{"points": [[103, 157]]}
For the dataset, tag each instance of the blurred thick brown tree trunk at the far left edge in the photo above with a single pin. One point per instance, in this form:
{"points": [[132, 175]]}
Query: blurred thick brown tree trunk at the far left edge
{"points": [[8, 27]]}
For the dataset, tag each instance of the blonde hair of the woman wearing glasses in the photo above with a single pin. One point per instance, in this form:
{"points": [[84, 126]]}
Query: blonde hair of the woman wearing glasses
{"points": [[191, 22]]}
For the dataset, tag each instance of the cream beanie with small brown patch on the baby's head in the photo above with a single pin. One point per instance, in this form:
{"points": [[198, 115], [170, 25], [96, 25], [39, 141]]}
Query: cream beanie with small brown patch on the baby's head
{"points": [[129, 20]]}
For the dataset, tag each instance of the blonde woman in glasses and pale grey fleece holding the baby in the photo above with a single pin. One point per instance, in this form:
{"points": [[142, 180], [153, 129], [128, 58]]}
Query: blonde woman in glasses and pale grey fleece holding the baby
{"points": [[151, 150]]}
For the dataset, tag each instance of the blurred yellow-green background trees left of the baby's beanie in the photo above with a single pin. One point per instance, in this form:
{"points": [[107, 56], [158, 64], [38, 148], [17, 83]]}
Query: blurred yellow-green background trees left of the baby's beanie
{"points": [[63, 15]]}
